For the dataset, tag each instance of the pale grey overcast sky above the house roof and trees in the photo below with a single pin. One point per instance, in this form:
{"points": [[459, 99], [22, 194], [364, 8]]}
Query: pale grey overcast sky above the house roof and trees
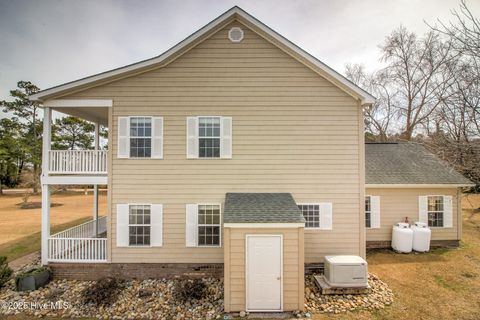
{"points": [[50, 42]]}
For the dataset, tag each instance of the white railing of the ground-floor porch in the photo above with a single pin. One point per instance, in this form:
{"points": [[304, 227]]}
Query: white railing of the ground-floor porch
{"points": [[79, 244]]}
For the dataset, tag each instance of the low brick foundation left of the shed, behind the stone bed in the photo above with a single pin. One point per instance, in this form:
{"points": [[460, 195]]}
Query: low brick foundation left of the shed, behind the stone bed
{"points": [[95, 271]]}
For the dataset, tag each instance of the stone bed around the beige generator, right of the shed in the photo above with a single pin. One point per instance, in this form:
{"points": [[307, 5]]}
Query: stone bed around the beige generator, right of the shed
{"points": [[380, 296]]}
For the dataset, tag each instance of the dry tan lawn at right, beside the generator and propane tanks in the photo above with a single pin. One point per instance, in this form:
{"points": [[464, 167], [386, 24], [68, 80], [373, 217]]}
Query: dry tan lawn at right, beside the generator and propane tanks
{"points": [[441, 284]]}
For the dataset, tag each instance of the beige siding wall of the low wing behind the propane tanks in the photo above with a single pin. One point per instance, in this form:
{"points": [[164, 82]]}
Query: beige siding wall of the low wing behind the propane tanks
{"points": [[396, 204]]}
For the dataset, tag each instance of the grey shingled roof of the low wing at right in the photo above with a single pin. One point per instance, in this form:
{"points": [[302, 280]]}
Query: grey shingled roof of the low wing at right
{"points": [[407, 163]]}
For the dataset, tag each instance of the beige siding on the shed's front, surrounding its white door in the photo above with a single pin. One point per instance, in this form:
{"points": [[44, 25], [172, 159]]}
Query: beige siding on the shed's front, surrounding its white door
{"points": [[292, 267]]}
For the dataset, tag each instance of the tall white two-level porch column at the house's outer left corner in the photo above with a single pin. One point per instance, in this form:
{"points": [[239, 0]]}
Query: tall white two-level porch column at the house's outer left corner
{"points": [[47, 118]]}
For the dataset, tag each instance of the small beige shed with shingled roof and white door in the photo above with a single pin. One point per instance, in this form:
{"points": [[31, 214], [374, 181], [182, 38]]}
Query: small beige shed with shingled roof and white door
{"points": [[264, 252]]}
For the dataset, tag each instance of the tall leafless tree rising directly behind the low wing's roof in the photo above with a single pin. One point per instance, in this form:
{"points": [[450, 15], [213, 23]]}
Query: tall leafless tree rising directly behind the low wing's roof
{"points": [[416, 68]]}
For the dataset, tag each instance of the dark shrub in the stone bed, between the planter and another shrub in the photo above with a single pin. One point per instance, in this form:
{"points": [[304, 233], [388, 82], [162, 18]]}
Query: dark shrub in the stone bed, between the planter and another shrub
{"points": [[103, 292]]}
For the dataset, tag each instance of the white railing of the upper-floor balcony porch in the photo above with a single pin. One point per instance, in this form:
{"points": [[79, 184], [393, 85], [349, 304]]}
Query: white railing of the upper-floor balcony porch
{"points": [[77, 162]]}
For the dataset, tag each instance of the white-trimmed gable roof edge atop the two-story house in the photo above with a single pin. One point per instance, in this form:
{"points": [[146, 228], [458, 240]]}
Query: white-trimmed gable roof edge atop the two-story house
{"points": [[234, 13]]}
